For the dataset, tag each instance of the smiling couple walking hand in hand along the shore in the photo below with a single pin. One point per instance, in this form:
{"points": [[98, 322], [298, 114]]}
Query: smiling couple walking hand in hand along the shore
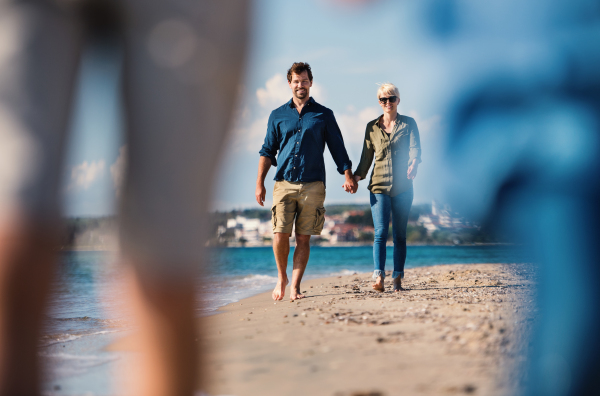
{"points": [[299, 131]]}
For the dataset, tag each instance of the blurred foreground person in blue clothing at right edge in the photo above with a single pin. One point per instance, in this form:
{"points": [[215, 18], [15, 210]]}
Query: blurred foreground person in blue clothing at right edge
{"points": [[523, 152]]}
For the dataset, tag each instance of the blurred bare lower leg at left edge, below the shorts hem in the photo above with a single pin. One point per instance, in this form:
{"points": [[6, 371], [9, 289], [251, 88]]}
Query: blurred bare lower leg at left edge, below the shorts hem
{"points": [[27, 265]]}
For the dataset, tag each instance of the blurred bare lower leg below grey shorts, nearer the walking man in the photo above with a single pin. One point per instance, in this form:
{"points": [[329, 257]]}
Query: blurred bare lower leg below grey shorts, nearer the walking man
{"points": [[164, 313]]}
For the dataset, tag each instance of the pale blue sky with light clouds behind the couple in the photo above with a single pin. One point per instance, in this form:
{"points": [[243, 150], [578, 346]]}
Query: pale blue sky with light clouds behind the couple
{"points": [[350, 50]]}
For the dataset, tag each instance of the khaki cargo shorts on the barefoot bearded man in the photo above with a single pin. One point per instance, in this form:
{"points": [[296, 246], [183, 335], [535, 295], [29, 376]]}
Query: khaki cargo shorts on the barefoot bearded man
{"points": [[302, 201]]}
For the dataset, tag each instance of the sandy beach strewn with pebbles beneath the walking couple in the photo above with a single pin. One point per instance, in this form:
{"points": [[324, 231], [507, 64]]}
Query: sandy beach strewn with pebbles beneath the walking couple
{"points": [[457, 329]]}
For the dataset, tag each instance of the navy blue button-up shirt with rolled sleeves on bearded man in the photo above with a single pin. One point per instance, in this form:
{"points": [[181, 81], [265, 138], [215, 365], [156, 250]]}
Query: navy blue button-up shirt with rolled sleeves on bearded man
{"points": [[300, 140]]}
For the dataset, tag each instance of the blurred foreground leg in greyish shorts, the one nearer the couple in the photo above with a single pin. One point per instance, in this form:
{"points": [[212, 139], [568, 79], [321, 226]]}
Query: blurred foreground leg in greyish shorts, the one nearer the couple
{"points": [[182, 65]]}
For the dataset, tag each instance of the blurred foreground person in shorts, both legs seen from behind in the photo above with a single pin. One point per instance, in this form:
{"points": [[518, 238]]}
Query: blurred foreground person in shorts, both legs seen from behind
{"points": [[181, 67]]}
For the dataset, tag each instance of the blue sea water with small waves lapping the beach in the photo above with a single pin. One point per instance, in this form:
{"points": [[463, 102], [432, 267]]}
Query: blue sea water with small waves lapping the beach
{"points": [[86, 308]]}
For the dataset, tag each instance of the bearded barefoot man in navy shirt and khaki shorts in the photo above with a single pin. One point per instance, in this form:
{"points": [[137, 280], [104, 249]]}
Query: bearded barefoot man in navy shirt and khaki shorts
{"points": [[299, 130]]}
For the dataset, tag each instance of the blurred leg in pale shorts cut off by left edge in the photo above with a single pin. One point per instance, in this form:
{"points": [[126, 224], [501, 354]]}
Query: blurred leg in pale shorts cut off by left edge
{"points": [[39, 52]]}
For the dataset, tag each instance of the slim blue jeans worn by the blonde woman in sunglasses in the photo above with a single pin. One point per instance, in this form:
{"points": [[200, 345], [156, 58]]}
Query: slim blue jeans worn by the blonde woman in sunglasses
{"points": [[399, 206]]}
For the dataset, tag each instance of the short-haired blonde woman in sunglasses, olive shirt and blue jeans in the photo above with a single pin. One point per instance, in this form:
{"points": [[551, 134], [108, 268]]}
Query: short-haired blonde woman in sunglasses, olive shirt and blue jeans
{"points": [[393, 140]]}
